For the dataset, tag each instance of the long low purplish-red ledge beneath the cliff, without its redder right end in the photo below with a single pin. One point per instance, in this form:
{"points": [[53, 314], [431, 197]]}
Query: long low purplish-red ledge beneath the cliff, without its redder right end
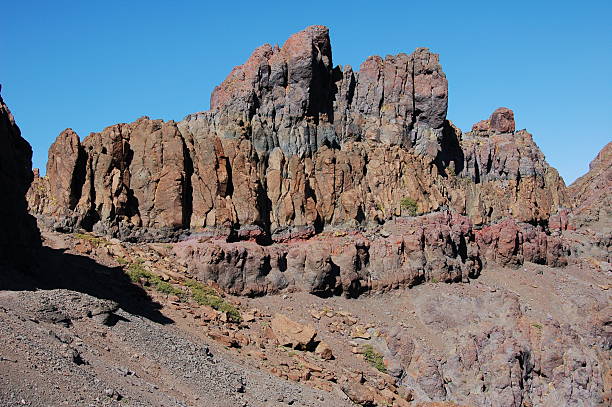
{"points": [[437, 247]]}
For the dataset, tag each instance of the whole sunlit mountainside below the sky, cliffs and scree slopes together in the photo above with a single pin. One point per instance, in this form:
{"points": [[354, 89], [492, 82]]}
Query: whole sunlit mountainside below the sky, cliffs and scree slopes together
{"points": [[306, 179]]}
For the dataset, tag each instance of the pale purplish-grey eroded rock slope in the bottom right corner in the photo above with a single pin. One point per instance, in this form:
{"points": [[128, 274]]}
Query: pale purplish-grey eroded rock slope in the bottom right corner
{"points": [[497, 355]]}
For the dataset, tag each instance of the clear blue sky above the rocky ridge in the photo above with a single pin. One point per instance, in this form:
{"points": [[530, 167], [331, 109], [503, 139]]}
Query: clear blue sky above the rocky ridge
{"points": [[90, 64]]}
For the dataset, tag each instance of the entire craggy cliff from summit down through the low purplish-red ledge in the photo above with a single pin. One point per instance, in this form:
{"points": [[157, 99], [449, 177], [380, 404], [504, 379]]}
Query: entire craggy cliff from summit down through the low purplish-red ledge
{"points": [[301, 172]]}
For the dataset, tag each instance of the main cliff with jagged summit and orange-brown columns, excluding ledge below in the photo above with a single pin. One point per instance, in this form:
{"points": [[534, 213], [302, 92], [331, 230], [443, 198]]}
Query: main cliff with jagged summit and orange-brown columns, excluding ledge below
{"points": [[293, 145]]}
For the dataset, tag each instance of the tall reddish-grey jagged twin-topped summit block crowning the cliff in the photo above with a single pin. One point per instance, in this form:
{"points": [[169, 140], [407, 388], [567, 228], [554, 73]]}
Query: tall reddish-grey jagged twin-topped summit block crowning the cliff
{"points": [[294, 98]]}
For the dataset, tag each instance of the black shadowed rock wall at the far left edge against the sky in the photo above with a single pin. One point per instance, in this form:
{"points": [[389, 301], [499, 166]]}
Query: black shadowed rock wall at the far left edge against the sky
{"points": [[19, 232]]}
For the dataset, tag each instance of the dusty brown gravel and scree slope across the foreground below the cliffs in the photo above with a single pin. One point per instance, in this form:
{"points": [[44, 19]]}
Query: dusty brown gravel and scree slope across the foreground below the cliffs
{"points": [[93, 338]]}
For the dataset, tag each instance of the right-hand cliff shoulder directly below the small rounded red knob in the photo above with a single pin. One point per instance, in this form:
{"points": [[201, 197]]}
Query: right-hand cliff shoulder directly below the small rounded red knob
{"points": [[508, 177]]}
